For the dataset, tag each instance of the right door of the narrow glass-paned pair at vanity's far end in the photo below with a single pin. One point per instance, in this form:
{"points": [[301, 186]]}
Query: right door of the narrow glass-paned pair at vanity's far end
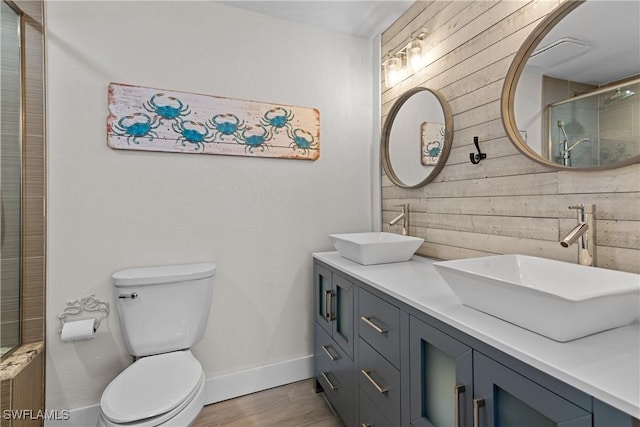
{"points": [[343, 313]]}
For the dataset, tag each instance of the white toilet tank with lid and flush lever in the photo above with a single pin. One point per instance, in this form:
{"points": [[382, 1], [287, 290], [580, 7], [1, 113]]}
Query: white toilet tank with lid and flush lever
{"points": [[165, 308]]}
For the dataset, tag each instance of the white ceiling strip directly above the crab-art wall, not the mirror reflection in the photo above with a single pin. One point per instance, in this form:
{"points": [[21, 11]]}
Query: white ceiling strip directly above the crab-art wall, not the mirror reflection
{"points": [[362, 18]]}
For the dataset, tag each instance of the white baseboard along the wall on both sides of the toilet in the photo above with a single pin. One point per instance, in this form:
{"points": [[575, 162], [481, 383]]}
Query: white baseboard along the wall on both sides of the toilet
{"points": [[218, 388]]}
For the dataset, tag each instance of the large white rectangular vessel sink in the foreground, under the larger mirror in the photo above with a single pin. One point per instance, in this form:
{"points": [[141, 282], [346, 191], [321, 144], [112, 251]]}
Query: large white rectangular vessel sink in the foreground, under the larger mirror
{"points": [[556, 299]]}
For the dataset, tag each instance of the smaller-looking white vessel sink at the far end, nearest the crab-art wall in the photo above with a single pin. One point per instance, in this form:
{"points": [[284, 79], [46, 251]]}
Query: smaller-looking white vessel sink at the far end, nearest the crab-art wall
{"points": [[375, 247]]}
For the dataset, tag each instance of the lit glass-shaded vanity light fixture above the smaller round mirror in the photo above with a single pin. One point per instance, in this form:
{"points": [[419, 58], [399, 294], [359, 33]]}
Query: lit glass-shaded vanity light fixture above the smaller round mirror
{"points": [[409, 59]]}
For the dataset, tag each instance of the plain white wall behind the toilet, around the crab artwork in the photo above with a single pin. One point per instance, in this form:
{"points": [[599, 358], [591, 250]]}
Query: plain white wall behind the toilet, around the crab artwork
{"points": [[258, 219]]}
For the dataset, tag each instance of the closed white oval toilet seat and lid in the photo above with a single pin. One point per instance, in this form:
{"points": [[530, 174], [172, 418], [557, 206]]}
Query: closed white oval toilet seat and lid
{"points": [[153, 388]]}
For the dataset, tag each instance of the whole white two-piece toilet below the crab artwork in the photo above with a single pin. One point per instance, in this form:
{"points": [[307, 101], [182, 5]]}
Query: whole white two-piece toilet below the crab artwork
{"points": [[163, 312]]}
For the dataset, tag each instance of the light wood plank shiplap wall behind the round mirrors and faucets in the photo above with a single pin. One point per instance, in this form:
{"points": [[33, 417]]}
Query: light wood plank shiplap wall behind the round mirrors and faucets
{"points": [[507, 203]]}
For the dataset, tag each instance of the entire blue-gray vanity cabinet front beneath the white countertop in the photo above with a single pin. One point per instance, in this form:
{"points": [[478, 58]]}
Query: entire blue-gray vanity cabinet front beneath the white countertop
{"points": [[384, 363]]}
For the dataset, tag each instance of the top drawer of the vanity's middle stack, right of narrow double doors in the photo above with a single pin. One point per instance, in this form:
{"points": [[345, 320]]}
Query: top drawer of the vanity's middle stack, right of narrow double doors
{"points": [[379, 325]]}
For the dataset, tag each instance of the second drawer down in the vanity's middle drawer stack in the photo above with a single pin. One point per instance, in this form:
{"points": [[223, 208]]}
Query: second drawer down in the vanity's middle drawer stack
{"points": [[380, 380]]}
